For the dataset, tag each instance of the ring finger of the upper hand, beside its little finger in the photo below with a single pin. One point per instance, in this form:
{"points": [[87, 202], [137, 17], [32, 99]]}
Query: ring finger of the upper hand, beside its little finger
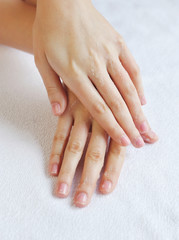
{"points": [[129, 94]]}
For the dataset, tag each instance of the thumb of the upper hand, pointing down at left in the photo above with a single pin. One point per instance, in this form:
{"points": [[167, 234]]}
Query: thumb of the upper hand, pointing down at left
{"points": [[55, 90]]}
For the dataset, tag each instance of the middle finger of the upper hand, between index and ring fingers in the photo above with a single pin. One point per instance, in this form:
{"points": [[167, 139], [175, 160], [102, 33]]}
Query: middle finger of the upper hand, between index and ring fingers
{"points": [[118, 107]]}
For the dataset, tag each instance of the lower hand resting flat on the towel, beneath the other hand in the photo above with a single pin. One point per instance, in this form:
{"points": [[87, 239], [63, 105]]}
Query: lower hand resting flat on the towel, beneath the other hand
{"points": [[69, 146]]}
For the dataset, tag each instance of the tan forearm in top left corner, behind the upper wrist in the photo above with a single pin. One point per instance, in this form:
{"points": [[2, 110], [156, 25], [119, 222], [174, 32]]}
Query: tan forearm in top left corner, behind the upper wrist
{"points": [[16, 22]]}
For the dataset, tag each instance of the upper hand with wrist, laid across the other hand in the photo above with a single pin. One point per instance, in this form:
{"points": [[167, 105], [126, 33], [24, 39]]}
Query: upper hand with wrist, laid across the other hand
{"points": [[73, 41]]}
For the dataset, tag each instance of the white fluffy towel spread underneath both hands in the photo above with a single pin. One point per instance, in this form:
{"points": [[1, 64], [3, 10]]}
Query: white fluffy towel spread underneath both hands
{"points": [[145, 203]]}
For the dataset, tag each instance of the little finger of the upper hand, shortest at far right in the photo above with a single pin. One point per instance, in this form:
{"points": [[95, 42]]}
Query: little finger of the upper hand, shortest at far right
{"points": [[133, 70]]}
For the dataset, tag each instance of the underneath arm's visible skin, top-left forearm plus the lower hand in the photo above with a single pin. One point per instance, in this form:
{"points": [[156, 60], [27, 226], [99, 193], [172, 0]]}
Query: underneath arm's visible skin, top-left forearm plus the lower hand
{"points": [[68, 143]]}
